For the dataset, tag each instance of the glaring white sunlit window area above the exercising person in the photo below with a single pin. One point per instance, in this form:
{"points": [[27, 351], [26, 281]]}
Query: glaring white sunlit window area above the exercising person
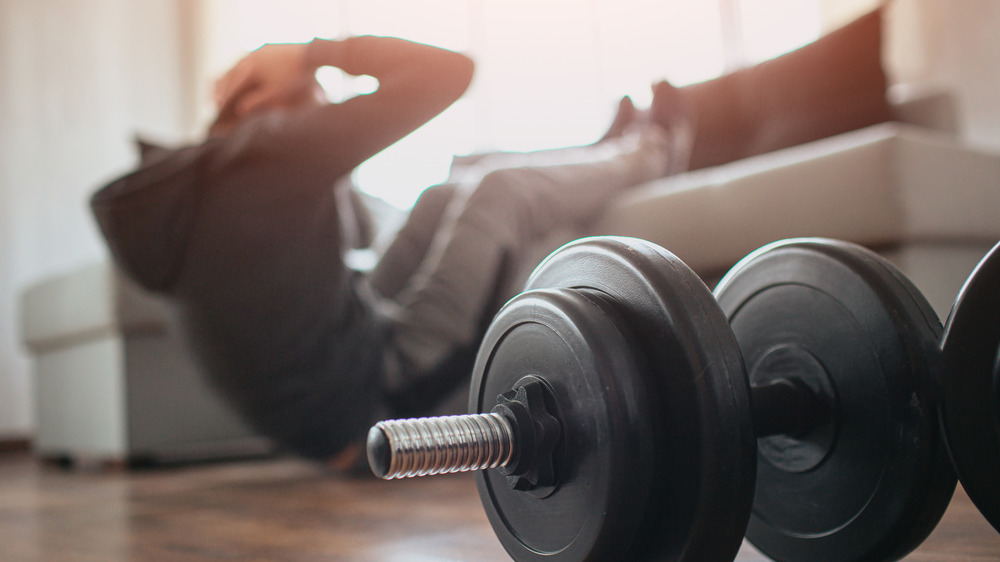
{"points": [[549, 72]]}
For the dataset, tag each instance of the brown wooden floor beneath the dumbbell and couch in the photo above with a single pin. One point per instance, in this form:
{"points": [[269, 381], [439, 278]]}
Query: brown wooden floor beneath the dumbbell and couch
{"points": [[287, 510]]}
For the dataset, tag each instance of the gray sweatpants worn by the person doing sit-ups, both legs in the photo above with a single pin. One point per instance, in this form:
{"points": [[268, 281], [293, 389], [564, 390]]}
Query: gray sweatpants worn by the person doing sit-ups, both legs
{"points": [[443, 270]]}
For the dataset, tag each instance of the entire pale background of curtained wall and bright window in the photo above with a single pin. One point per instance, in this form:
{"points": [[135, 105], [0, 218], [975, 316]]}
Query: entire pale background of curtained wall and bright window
{"points": [[81, 77]]}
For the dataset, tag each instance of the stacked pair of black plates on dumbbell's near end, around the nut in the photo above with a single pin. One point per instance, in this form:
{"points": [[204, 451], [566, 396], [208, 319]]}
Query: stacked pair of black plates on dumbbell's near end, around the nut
{"points": [[657, 459]]}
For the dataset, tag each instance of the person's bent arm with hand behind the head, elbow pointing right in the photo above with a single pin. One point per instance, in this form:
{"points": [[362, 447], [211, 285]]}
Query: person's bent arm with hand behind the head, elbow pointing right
{"points": [[416, 82]]}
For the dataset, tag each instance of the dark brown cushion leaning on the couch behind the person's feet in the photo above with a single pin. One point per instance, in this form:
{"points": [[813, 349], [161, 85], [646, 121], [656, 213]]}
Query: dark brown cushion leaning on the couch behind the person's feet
{"points": [[833, 85]]}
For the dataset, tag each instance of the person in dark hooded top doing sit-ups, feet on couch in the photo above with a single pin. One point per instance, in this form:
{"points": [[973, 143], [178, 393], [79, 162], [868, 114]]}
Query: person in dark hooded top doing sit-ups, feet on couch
{"points": [[247, 234]]}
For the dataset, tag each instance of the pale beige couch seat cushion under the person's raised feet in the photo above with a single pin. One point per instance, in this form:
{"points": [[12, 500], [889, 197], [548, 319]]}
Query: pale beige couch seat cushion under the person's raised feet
{"points": [[884, 185]]}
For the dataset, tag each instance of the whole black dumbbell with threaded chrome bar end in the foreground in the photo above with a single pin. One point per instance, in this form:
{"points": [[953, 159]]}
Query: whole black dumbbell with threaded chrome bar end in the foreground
{"points": [[629, 413]]}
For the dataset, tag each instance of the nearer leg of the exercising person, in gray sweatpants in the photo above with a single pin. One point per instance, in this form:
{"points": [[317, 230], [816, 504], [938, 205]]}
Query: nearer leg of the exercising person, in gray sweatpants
{"points": [[443, 308]]}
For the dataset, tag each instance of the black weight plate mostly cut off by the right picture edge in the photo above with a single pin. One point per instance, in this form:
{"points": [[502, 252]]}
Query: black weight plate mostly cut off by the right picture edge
{"points": [[971, 411]]}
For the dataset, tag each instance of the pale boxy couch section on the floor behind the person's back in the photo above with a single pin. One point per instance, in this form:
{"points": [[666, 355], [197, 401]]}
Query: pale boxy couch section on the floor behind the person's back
{"points": [[114, 381]]}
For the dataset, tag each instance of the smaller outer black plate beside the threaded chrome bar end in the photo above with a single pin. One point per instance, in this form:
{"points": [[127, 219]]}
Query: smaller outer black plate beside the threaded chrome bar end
{"points": [[574, 342]]}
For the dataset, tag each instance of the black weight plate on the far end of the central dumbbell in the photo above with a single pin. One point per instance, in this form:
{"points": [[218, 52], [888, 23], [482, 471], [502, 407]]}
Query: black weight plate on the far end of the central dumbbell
{"points": [[872, 483]]}
